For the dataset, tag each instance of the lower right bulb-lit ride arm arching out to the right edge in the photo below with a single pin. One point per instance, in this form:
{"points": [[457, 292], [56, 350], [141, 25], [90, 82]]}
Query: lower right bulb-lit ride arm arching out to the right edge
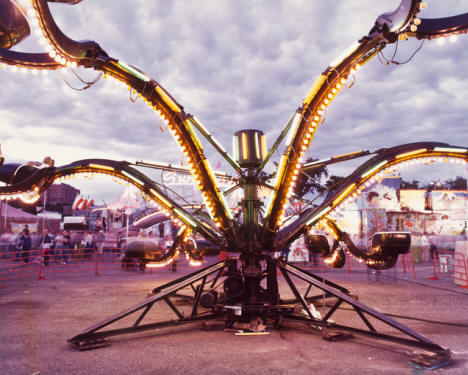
{"points": [[385, 162]]}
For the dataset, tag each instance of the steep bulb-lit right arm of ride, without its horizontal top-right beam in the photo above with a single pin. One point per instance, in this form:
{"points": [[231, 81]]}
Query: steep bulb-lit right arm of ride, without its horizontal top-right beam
{"points": [[312, 112]]}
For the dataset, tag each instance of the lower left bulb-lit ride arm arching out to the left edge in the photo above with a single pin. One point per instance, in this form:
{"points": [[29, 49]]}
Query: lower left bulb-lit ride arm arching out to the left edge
{"points": [[39, 180]]}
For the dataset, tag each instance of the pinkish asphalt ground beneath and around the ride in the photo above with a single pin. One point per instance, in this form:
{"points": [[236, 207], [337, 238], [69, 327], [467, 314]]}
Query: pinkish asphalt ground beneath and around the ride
{"points": [[39, 316]]}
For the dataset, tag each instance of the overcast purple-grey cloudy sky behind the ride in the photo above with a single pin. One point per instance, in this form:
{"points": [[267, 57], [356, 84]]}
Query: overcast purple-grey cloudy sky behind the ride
{"points": [[235, 64]]}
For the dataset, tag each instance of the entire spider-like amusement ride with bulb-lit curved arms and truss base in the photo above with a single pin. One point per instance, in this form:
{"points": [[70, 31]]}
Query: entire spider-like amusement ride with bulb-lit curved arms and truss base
{"points": [[243, 288]]}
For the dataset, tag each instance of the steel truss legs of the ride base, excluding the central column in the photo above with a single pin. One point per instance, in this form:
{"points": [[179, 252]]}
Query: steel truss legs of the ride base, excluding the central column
{"points": [[272, 309]]}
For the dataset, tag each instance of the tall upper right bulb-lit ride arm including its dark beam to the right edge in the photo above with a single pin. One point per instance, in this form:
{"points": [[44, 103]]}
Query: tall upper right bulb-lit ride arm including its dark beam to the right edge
{"points": [[388, 28]]}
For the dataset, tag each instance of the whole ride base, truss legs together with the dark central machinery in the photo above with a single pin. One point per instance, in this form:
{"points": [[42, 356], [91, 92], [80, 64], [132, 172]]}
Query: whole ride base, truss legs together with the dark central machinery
{"points": [[243, 299]]}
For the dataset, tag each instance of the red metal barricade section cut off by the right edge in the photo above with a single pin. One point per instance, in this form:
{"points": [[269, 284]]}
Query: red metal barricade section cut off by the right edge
{"points": [[451, 265]]}
